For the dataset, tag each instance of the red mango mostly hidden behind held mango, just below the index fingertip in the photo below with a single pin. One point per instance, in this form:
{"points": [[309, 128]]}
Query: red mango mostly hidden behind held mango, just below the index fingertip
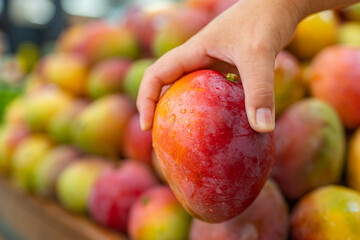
{"points": [[138, 143]]}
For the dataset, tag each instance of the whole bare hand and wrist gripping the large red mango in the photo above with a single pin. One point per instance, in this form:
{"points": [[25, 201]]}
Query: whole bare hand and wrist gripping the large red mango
{"points": [[240, 38]]}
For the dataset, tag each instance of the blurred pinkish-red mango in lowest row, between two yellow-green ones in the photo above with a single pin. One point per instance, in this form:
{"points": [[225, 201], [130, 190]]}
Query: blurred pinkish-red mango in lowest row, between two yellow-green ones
{"points": [[116, 190]]}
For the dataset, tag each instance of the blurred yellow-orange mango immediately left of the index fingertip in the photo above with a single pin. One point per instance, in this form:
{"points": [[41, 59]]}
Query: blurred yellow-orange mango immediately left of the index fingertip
{"points": [[100, 128]]}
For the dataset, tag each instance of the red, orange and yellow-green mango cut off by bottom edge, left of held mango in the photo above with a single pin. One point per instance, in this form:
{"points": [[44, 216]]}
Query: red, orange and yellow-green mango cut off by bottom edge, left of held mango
{"points": [[157, 215]]}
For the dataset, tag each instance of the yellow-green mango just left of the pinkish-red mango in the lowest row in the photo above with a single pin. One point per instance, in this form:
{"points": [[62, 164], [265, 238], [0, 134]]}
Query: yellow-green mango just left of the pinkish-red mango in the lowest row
{"points": [[76, 181]]}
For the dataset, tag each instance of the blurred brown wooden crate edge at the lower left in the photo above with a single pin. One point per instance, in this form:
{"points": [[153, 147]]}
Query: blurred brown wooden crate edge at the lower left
{"points": [[35, 218]]}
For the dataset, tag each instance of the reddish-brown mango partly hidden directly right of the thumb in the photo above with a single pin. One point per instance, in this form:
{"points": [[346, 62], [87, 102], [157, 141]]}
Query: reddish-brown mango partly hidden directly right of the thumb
{"points": [[287, 82]]}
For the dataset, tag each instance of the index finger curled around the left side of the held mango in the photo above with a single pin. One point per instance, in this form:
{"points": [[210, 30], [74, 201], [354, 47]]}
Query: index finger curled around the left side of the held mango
{"points": [[166, 70]]}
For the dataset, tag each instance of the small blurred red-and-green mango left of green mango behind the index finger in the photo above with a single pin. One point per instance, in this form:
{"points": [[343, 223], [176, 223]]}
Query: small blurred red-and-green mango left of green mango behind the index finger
{"points": [[108, 77]]}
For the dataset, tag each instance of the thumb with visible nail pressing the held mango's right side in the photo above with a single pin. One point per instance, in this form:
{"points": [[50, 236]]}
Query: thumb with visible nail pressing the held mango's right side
{"points": [[257, 74]]}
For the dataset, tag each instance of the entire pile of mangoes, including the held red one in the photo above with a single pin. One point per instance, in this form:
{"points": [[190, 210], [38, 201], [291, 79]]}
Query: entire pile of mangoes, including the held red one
{"points": [[74, 134]]}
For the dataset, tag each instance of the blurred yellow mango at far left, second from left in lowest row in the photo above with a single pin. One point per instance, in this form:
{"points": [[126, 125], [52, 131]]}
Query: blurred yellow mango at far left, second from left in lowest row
{"points": [[28, 155]]}
